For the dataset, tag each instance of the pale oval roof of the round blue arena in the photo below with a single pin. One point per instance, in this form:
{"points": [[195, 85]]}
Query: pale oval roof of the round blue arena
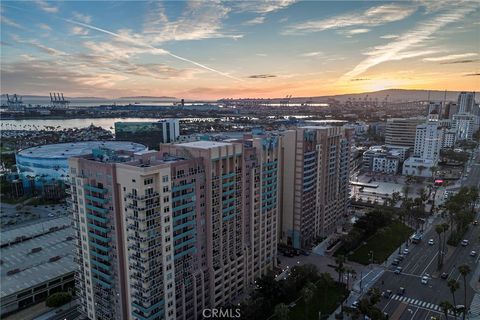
{"points": [[67, 150]]}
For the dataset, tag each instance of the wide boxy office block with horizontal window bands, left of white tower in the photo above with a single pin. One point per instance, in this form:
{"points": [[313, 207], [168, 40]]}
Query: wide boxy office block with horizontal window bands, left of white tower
{"points": [[400, 132]]}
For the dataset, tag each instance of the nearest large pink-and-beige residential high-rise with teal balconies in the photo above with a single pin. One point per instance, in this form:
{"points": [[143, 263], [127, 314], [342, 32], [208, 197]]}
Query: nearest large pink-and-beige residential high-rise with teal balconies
{"points": [[167, 234]]}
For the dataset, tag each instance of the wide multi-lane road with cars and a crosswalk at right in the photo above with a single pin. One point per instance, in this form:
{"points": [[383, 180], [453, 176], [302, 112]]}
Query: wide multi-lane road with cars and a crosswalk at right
{"points": [[423, 299]]}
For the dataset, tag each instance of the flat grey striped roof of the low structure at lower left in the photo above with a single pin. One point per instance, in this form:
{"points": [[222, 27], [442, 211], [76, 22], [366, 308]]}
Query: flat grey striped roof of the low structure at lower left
{"points": [[35, 267]]}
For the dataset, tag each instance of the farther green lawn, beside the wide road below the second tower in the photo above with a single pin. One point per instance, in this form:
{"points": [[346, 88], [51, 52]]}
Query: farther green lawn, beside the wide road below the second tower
{"points": [[383, 243]]}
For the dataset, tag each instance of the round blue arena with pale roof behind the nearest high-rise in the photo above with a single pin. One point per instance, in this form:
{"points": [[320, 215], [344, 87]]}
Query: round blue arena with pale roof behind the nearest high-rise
{"points": [[49, 162]]}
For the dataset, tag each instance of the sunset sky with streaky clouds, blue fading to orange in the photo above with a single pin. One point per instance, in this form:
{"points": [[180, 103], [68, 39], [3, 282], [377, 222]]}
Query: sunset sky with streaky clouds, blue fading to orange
{"points": [[237, 49]]}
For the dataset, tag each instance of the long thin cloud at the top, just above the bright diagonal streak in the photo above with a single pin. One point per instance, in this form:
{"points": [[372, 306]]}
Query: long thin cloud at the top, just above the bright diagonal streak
{"points": [[374, 16]]}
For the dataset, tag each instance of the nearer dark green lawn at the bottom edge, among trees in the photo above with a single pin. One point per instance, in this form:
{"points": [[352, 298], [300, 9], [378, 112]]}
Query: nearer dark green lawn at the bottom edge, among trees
{"points": [[320, 302]]}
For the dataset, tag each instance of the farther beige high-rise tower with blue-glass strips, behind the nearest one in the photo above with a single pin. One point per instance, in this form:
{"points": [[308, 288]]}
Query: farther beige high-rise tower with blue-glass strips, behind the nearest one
{"points": [[315, 179]]}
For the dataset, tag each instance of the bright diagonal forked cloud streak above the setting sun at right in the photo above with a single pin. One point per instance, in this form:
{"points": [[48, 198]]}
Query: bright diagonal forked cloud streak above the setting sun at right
{"points": [[397, 50]]}
